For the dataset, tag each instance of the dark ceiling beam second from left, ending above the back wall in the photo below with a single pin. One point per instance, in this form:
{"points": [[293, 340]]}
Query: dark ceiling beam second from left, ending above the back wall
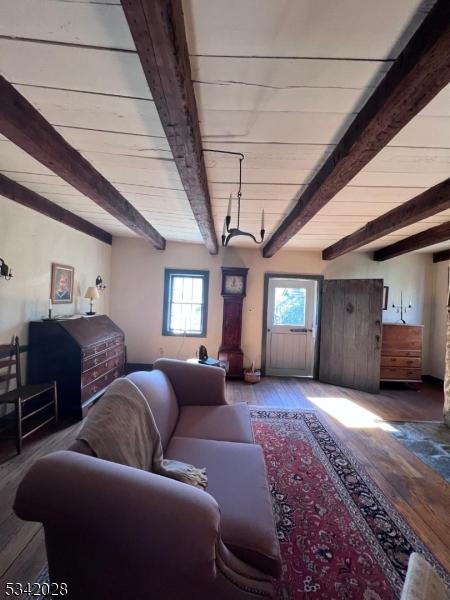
{"points": [[21, 123]]}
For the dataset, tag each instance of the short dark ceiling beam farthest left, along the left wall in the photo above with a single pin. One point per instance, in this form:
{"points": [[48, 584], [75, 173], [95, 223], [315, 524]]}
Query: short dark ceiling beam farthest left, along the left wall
{"points": [[22, 195]]}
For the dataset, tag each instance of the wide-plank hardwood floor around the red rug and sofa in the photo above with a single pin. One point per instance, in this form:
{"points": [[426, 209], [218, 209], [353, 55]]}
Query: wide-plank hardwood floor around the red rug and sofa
{"points": [[356, 418]]}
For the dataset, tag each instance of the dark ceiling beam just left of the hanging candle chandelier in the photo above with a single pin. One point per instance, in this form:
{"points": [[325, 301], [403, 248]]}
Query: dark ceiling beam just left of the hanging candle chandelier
{"points": [[158, 30]]}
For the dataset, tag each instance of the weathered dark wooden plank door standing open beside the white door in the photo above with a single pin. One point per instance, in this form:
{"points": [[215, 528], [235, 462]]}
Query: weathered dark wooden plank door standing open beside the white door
{"points": [[350, 341]]}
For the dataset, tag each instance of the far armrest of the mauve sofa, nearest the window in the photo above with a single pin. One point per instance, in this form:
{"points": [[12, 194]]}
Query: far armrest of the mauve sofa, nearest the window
{"points": [[194, 384]]}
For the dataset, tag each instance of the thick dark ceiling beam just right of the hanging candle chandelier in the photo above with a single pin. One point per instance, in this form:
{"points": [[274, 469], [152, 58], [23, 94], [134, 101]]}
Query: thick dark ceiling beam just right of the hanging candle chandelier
{"points": [[419, 73]]}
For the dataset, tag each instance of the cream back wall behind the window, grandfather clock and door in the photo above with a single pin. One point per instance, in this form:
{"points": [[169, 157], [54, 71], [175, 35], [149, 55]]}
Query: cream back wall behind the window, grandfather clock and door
{"points": [[138, 286]]}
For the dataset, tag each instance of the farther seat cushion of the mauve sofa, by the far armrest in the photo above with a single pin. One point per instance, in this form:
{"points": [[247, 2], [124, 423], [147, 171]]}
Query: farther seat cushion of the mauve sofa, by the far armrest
{"points": [[230, 423]]}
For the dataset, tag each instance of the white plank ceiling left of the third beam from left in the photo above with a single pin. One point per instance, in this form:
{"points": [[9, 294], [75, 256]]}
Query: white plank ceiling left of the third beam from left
{"points": [[76, 63]]}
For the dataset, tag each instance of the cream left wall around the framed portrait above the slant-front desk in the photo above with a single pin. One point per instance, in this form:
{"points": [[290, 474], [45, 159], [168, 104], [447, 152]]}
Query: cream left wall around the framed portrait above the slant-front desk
{"points": [[29, 243]]}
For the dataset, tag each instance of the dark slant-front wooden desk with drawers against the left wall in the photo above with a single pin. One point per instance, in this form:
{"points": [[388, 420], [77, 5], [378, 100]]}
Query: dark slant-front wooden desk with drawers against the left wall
{"points": [[84, 355]]}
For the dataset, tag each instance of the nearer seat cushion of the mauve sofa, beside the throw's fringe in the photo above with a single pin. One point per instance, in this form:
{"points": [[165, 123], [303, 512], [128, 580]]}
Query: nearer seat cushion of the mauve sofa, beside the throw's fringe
{"points": [[237, 479]]}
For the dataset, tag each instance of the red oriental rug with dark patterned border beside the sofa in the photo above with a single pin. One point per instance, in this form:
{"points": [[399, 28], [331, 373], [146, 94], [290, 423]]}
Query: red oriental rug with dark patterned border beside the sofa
{"points": [[340, 538]]}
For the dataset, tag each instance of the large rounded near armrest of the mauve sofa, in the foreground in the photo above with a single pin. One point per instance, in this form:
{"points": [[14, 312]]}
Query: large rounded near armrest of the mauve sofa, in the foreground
{"points": [[148, 516]]}
